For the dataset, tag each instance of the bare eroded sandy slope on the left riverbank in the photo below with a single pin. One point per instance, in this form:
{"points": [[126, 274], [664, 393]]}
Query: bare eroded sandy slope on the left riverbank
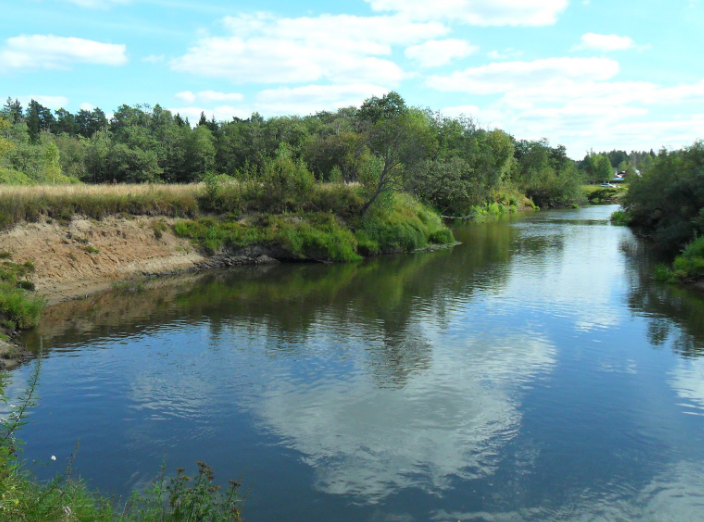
{"points": [[87, 256]]}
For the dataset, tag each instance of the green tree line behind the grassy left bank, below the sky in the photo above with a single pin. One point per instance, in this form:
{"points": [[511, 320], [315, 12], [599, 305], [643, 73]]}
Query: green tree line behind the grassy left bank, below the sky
{"points": [[452, 164]]}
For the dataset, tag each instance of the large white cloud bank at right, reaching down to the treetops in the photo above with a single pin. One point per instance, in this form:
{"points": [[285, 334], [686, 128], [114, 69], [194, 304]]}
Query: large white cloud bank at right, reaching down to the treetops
{"points": [[576, 102]]}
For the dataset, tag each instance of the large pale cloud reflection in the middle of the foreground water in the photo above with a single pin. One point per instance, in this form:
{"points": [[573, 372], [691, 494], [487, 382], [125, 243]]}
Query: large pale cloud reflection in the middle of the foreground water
{"points": [[450, 420]]}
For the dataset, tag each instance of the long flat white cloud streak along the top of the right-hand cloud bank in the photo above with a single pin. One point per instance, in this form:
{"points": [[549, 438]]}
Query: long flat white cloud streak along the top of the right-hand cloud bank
{"points": [[501, 77]]}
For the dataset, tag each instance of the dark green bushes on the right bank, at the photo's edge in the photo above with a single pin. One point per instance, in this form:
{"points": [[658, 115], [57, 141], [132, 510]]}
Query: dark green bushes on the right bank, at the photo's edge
{"points": [[666, 204]]}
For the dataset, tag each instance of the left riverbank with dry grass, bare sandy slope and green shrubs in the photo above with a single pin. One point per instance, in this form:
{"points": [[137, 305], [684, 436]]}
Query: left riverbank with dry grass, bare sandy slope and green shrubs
{"points": [[62, 243]]}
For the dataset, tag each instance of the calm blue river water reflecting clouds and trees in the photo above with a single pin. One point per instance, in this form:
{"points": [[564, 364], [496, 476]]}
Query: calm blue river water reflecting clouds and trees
{"points": [[534, 372]]}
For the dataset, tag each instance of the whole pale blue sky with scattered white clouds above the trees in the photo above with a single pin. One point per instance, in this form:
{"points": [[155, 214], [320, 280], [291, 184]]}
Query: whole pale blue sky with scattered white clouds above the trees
{"points": [[586, 74]]}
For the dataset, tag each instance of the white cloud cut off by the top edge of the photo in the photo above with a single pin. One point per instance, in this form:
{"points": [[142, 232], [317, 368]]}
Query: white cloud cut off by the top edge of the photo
{"points": [[477, 12]]}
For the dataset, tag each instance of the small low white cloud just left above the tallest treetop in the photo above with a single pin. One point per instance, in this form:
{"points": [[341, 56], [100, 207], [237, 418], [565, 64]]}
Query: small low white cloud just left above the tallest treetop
{"points": [[315, 98]]}
